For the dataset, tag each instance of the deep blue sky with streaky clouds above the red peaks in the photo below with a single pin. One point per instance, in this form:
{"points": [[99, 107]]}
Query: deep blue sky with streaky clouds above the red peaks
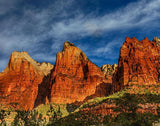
{"points": [[97, 27]]}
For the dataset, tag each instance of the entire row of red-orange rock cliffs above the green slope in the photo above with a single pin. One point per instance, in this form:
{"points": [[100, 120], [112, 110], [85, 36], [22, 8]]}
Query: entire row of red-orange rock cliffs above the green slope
{"points": [[26, 83]]}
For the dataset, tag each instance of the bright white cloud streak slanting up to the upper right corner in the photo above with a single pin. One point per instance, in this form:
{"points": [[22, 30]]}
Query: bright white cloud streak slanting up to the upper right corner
{"points": [[134, 15]]}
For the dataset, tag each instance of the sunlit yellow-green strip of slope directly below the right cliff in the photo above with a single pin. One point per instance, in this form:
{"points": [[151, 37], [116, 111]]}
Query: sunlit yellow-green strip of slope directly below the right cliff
{"points": [[144, 96]]}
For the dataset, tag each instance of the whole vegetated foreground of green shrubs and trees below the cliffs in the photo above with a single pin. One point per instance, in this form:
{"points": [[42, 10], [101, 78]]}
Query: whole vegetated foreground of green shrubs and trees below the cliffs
{"points": [[125, 113]]}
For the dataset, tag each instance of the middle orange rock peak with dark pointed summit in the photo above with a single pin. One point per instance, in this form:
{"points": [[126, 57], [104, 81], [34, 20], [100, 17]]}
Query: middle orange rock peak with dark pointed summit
{"points": [[74, 76]]}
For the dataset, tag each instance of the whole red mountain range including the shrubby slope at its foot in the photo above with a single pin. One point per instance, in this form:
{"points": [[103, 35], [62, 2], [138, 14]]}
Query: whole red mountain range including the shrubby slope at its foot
{"points": [[122, 95]]}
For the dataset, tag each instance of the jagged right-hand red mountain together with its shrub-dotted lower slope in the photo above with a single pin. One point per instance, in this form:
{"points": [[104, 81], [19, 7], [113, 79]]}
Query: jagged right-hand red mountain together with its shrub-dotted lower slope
{"points": [[135, 84]]}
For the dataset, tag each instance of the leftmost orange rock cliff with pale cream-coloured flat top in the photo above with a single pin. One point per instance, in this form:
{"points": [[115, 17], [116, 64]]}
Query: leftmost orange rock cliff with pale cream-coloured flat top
{"points": [[19, 81]]}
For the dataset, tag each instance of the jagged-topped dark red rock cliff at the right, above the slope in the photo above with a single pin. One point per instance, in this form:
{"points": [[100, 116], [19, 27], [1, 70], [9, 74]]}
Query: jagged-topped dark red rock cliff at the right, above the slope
{"points": [[139, 63]]}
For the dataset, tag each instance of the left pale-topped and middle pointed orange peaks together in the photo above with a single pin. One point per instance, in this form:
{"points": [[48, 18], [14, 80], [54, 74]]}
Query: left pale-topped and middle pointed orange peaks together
{"points": [[26, 83]]}
